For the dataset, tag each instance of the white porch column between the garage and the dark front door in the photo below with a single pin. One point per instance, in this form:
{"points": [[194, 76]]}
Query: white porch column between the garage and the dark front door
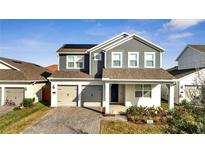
{"points": [[106, 102]]}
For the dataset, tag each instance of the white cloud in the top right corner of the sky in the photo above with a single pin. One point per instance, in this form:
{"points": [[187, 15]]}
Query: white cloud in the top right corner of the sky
{"points": [[181, 24]]}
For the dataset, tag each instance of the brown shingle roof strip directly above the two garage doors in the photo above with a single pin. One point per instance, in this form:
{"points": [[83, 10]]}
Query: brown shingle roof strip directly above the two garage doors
{"points": [[73, 74]]}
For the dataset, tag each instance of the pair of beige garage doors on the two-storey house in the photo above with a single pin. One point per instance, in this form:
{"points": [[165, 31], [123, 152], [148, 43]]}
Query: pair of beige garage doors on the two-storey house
{"points": [[91, 95]]}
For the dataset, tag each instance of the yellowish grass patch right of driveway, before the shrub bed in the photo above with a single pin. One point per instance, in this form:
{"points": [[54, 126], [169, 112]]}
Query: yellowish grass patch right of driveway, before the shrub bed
{"points": [[122, 127]]}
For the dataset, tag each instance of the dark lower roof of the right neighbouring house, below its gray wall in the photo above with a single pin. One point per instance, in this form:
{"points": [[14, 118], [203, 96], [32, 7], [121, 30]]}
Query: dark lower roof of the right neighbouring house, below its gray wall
{"points": [[181, 73]]}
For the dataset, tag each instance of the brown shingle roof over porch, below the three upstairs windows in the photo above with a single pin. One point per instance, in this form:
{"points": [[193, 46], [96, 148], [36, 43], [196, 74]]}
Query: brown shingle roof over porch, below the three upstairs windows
{"points": [[137, 73]]}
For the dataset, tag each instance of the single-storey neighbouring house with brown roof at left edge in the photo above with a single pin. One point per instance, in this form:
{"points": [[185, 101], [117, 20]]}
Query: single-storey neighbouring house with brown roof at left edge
{"points": [[19, 80]]}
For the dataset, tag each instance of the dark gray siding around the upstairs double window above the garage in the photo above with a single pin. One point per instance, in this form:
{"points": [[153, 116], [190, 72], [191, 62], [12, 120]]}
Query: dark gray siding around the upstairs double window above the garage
{"points": [[62, 63]]}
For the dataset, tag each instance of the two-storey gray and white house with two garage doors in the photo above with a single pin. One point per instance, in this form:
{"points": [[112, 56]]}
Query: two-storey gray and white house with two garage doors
{"points": [[126, 70]]}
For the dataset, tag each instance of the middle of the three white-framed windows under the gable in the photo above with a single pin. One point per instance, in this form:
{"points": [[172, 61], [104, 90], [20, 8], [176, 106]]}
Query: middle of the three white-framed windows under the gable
{"points": [[133, 59]]}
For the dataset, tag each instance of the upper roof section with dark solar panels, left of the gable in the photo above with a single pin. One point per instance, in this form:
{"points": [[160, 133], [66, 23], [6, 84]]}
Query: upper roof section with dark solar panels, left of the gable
{"points": [[75, 47]]}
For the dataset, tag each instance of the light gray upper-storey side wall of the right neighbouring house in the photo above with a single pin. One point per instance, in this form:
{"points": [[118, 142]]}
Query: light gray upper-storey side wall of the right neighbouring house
{"points": [[191, 58]]}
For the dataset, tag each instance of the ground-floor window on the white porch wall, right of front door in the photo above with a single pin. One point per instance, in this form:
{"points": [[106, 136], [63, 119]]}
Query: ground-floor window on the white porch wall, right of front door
{"points": [[143, 90]]}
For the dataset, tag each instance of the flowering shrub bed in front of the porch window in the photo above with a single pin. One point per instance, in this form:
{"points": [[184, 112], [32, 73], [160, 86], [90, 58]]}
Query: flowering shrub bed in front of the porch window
{"points": [[141, 114]]}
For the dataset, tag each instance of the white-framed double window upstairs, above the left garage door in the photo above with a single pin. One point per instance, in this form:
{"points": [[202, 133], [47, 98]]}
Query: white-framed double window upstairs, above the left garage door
{"points": [[75, 62]]}
